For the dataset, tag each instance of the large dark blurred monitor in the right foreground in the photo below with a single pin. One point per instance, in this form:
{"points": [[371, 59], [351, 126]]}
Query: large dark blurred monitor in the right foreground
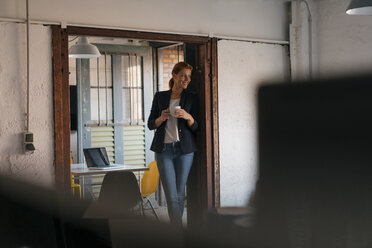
{"points": [[315, 164]]}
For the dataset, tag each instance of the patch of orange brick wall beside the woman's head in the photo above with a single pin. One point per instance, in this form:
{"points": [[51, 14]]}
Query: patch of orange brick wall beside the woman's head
{"points": [[171, 56]]}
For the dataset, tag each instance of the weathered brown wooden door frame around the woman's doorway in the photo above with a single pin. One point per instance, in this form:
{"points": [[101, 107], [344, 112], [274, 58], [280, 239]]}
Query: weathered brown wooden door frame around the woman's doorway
{"points": [[205, 180]]}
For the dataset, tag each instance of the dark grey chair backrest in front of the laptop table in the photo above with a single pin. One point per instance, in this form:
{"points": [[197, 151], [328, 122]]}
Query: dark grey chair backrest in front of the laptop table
{"points": [[120, 188]]}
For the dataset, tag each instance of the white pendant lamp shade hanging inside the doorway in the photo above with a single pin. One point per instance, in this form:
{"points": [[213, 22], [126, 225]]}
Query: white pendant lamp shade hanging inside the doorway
{"points": [[83, 50]]}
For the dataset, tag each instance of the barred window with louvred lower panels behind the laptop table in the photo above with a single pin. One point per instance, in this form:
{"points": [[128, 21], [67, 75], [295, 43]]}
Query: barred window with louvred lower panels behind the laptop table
{"points": [[111, 89]]}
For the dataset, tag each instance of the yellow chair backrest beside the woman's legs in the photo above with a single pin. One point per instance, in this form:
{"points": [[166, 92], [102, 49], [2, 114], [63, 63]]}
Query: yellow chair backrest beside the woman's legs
{"points": [[150, 180]]}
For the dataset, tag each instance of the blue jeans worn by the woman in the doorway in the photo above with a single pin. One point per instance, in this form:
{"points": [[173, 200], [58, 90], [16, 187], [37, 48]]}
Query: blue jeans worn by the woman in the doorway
{"points": [[174, 168]]}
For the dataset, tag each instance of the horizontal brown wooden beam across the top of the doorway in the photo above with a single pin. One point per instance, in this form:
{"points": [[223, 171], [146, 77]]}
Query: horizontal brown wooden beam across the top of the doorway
{"points": [[136, 35]]}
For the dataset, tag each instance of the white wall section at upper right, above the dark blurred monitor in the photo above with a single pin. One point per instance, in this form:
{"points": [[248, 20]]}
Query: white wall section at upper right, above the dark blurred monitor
{"points": [[344, 41]]}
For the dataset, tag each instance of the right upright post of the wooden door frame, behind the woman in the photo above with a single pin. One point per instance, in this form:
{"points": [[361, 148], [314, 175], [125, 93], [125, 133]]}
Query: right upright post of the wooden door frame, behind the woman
{"points": [[200, 189]]}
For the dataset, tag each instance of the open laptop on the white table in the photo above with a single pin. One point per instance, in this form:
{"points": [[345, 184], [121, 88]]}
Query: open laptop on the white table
{"points": [[97, 159]]}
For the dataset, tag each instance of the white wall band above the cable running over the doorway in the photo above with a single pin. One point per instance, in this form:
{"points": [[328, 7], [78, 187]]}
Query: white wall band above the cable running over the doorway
{"points": [[244, 18]]}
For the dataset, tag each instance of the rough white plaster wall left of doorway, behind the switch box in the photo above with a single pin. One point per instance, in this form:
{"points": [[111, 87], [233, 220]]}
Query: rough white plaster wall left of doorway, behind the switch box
{"points": [[37, 167]]}
